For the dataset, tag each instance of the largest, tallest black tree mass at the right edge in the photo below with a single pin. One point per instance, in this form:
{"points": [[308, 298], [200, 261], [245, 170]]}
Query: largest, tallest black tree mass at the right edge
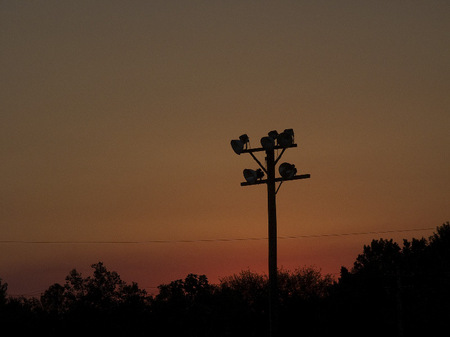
{"points": [[397, 291]]}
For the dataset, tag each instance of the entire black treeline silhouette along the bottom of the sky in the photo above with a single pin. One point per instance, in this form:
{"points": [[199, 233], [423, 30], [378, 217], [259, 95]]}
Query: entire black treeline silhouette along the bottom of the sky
{"points": [[391, 290]]}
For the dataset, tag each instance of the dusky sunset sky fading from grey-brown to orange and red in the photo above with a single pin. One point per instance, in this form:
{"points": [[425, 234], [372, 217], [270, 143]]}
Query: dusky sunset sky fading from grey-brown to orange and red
{"points": [[116, 119]]}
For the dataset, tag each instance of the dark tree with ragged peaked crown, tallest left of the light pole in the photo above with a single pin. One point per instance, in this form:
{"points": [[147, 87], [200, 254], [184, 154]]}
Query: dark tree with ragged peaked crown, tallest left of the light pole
{"points": [[101, 303]]}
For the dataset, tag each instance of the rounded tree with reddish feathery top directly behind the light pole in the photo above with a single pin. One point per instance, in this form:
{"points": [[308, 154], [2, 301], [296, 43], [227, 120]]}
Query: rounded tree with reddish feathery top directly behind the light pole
{"points": [[244, 301]]}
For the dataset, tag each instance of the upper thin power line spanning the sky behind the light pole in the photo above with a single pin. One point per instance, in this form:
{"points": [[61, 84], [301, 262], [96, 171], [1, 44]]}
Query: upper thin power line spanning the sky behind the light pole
{"points": [[306, 236]]}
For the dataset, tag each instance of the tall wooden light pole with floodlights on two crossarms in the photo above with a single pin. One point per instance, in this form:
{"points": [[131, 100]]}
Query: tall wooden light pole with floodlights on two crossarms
{"points": [[270, 143]]}
